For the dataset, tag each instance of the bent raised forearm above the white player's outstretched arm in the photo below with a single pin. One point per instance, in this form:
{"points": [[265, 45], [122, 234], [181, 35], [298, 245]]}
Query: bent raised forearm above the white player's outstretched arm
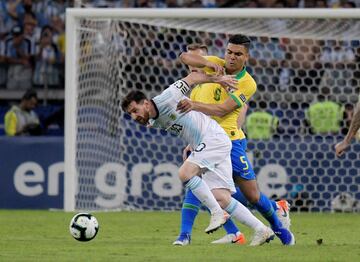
{"points": [[199, 61]]}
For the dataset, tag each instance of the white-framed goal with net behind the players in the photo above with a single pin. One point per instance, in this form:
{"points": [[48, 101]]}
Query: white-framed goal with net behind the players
{"points": [[298, 60]]}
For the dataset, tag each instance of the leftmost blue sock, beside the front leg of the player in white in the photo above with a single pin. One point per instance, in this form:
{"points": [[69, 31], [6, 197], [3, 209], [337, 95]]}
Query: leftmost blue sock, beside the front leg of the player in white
{"points": [[189, 211]]}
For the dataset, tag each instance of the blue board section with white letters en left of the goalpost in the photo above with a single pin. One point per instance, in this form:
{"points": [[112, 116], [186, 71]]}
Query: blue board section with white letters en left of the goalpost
{"points": [[32, 172]]}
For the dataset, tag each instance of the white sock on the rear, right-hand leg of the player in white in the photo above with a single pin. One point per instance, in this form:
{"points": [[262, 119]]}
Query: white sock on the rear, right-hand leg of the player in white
{"points": [[241, 213]]}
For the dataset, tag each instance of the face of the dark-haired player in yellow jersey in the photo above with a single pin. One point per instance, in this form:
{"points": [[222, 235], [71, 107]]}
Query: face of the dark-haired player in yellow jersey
{"points": [[235, 58]]}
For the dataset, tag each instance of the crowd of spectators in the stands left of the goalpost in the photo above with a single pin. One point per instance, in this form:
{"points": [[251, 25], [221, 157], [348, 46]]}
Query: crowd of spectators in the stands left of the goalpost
{"points": [[32, 43]]}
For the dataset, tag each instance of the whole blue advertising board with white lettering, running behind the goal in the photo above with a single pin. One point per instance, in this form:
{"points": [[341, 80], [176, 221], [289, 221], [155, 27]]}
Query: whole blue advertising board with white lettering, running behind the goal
{"points": [[303, 170]]}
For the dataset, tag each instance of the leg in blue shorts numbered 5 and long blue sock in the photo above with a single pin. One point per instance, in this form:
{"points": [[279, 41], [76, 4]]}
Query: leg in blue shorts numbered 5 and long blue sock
{"points": [[244, 177]]}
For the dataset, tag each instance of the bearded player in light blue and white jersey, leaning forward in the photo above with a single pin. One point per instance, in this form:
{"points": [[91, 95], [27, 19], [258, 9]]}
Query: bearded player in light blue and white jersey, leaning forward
{"points": [[211, 155]]}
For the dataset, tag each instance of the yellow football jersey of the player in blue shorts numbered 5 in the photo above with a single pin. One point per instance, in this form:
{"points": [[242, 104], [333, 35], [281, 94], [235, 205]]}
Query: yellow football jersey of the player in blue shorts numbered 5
{"points": [[215, 94]]}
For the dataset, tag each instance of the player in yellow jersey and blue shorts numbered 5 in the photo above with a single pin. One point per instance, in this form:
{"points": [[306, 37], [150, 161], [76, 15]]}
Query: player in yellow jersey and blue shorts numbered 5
{"points": [[224, 105]]}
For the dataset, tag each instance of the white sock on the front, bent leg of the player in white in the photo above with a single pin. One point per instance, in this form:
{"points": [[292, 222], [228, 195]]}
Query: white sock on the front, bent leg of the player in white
{"points": [[201, 190]]}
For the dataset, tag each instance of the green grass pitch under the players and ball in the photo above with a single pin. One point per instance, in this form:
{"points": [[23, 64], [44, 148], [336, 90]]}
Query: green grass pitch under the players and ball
{"points": [[147, 236]]}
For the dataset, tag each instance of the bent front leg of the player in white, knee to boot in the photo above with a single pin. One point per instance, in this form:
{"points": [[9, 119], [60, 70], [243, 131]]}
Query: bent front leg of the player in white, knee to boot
{"points": [[189, 173]]}
